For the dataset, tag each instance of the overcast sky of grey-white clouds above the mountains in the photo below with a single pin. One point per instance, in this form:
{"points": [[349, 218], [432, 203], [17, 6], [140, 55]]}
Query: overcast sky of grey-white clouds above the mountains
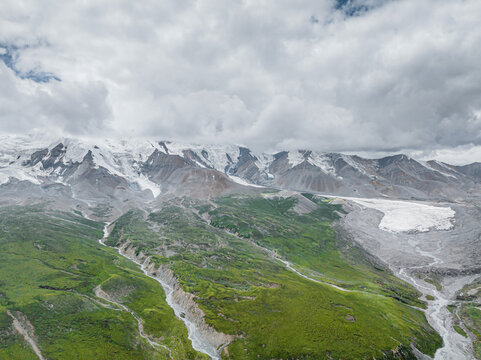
{"points": [[358, 76]]}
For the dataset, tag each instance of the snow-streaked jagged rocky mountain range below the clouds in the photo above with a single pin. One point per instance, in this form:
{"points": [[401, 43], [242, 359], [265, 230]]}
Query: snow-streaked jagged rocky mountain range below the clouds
{"points": [[139, 171]]}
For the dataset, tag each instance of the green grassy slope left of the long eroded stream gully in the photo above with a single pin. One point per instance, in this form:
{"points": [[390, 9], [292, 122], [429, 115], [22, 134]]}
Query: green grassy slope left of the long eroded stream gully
{"points": [[50, 264]]}
